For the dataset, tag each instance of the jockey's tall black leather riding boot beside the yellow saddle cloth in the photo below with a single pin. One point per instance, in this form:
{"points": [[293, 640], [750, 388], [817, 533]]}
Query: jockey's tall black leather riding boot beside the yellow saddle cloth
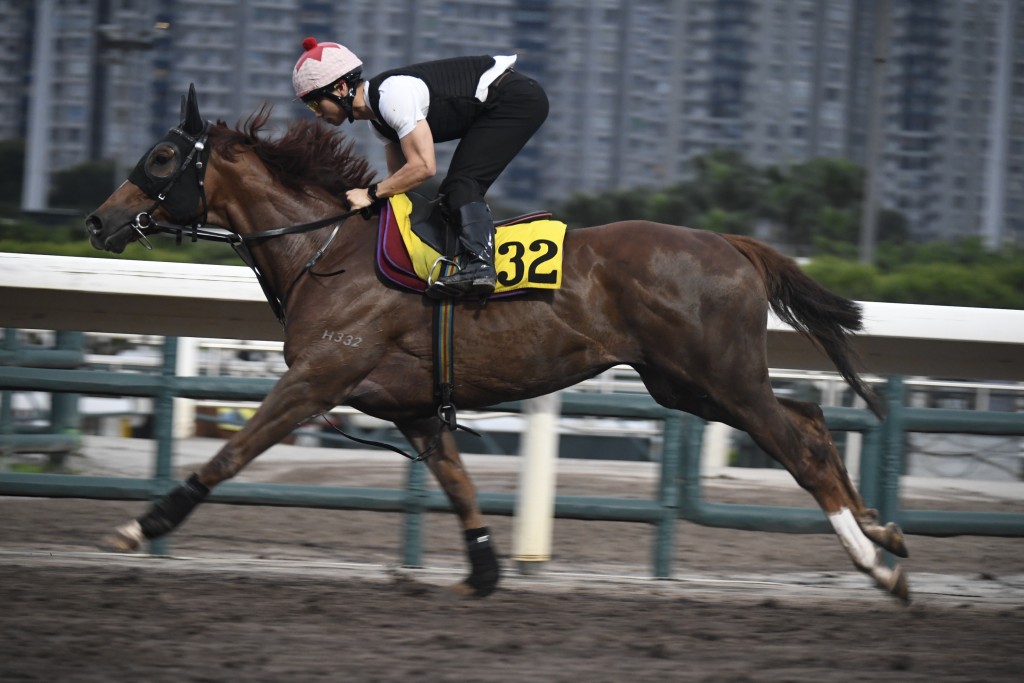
{"points": [[476, 277]]}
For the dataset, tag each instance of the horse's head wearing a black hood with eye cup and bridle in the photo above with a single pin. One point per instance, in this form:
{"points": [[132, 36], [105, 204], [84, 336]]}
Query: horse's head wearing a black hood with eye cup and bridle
{"points": [[167, 185]]}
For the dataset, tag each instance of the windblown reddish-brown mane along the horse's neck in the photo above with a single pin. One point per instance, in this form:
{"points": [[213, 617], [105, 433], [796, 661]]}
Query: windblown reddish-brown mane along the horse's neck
{"points": [[310, 154]]}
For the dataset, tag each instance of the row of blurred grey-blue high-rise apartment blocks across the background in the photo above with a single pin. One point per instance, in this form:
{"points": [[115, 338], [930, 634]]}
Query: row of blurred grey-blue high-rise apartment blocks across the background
{"points": [[637, 90]]}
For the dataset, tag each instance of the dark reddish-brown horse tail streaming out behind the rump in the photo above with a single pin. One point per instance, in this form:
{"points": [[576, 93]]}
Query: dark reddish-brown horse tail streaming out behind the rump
{"points": [[825, 318]]}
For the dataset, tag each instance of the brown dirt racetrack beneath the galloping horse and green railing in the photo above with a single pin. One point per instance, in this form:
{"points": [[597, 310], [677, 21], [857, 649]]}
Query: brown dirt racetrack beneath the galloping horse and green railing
{"points": [[306, 595]]}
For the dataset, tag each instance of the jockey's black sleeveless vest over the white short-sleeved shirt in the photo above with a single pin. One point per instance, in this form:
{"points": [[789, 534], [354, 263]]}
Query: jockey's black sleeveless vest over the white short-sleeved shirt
{"points": [[452, 84]]}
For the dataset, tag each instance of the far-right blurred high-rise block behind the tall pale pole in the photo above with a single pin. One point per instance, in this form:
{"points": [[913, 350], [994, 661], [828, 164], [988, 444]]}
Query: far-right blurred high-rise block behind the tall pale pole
{"points": [[949, 99]]}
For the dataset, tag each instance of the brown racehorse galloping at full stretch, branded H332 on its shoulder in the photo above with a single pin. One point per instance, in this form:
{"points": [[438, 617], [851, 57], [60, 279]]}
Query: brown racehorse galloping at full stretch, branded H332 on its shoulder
{"points": [[687, 309]]}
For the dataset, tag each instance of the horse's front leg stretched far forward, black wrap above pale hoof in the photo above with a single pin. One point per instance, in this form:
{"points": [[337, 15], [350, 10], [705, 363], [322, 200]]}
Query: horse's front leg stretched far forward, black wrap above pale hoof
{"points": [[292, 401]]}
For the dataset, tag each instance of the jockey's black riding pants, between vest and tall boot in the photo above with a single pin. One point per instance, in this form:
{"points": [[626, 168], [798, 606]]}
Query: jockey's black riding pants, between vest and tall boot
{"points": [[516, 109]]}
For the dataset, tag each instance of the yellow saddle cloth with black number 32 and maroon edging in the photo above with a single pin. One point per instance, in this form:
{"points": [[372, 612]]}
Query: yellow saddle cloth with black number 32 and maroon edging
{"points": [[528, 249]]}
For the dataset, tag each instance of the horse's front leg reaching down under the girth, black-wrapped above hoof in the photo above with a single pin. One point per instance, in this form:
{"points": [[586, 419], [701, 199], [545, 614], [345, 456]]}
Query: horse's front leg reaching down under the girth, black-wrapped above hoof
{"points": [[446, 464]]}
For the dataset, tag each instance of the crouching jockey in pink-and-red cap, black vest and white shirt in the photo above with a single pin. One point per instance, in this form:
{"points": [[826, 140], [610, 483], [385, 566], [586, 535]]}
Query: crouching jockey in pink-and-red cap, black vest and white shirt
{"points": [[483, 102]]}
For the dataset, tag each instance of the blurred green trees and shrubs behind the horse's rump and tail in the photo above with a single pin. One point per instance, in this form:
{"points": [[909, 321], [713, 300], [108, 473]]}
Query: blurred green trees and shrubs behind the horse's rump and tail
{"points": [[816, 208]]}
